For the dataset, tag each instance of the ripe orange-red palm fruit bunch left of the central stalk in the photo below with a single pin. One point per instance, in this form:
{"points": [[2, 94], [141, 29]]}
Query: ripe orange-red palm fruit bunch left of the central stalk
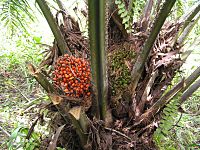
{"points": [[72, 75]]}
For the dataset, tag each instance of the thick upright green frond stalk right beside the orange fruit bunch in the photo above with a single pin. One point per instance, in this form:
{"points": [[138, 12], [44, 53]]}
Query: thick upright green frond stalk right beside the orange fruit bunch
{"points": [[97, 34]]}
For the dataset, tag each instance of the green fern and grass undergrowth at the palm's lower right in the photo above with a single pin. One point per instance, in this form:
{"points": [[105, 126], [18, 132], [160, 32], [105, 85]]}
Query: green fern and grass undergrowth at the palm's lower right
{"points": [[176, 130]]}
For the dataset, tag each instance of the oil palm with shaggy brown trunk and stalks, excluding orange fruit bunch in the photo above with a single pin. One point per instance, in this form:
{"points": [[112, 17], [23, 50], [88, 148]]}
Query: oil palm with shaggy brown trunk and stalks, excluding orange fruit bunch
{"points": [[134, 55]]}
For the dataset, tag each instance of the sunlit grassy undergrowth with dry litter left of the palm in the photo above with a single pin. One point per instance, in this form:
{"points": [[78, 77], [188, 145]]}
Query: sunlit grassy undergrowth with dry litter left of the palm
{"points": [[21, 97]]}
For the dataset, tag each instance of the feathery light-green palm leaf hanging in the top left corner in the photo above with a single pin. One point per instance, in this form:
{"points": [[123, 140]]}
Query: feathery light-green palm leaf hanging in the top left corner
{"points": [[15, 14]]}
